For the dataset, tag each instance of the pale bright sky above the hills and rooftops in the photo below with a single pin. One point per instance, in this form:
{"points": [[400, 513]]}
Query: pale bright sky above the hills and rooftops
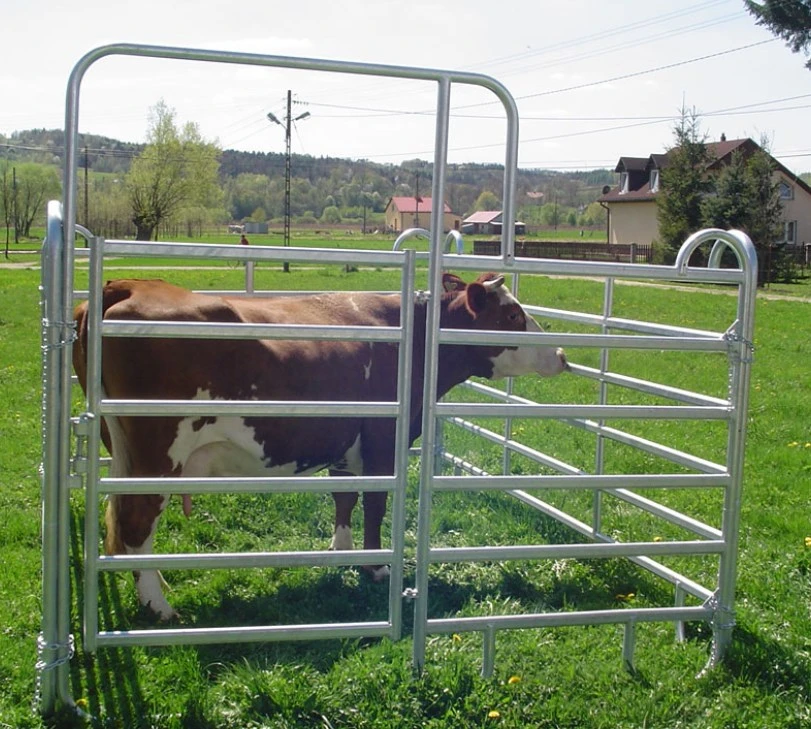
{"points": [[593, 80]]}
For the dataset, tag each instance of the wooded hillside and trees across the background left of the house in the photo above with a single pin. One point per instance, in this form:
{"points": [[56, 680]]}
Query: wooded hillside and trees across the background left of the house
{"points": [[179, 181]]}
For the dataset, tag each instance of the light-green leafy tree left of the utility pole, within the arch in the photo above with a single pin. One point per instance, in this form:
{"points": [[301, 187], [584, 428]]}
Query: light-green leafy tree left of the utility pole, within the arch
{"points": [[175, 170]]}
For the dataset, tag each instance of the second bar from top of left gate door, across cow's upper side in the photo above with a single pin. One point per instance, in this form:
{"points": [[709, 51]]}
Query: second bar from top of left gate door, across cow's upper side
{"points": [[217, 330]]}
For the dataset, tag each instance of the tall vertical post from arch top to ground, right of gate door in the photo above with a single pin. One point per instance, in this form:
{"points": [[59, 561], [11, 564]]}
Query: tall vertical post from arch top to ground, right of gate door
{"points": [[431, 370]]}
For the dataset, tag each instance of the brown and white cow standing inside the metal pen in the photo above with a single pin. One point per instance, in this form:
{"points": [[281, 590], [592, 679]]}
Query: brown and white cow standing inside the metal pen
{"points": [[160, 368]]}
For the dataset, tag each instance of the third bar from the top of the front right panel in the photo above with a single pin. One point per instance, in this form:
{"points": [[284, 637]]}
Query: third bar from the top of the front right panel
{"points": [[603, 412]]}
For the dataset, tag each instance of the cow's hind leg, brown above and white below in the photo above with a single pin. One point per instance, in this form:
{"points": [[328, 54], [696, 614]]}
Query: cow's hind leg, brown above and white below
{"points": [[131, 522]]}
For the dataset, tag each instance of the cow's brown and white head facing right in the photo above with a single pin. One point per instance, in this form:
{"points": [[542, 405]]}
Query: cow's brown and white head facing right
{"points": [[492, 306]]}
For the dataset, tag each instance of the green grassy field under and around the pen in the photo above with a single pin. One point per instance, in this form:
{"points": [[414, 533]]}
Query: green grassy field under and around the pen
{"points": [[571, 677]]}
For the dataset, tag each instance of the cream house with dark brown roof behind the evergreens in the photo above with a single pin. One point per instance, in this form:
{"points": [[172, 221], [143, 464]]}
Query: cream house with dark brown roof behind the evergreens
{"points": [[632, 203]]}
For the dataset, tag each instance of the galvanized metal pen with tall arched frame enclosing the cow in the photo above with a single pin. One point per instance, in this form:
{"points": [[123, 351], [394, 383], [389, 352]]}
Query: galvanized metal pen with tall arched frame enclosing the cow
{"points": [[70, 445]]}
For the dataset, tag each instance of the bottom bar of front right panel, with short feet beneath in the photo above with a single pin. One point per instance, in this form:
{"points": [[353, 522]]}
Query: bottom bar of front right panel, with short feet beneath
{"points": [[558, 619]]}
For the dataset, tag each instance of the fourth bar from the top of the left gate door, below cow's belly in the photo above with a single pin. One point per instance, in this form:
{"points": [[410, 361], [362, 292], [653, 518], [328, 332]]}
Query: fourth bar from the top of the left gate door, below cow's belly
{"points": [[269, 484]]}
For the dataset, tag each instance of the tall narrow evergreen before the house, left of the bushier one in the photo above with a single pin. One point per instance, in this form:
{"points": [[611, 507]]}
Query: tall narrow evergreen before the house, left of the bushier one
{"points": [[684, 184]]}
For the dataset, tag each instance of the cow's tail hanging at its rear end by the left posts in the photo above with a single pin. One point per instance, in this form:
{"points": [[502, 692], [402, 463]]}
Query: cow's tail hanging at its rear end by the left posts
{"points": [[111, 434]]}
